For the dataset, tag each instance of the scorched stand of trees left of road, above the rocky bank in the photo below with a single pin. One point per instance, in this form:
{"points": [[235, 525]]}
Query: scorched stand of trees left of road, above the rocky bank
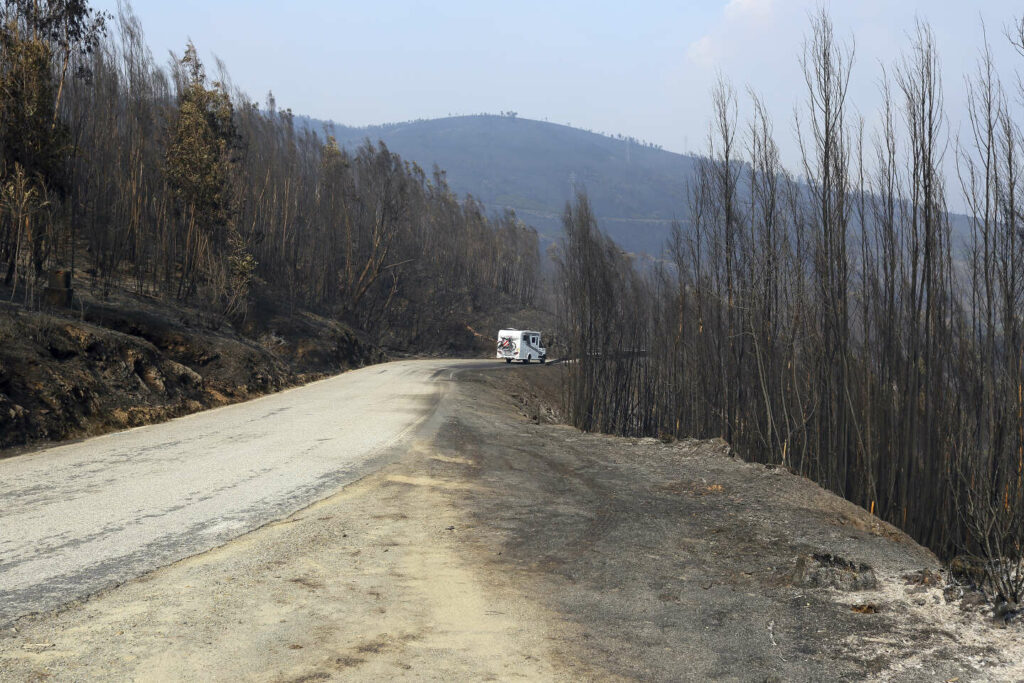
{"points": [[170, 184]]}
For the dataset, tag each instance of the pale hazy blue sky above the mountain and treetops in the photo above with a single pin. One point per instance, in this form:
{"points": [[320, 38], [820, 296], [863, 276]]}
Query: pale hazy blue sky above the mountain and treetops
{"points": [[643, 69]]}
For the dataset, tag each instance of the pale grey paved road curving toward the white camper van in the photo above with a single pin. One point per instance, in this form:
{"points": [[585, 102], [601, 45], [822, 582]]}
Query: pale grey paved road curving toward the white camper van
{"points": [[77, 519]]}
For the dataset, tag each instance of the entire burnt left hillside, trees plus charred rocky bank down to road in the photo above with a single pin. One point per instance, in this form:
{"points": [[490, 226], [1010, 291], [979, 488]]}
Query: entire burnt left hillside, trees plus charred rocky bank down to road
{"points": [[169, 243]]}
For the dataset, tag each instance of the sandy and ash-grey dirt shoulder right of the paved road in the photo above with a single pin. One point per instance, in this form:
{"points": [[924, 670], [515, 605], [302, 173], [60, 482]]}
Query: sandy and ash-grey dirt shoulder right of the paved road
{"points": [[501, 547]]}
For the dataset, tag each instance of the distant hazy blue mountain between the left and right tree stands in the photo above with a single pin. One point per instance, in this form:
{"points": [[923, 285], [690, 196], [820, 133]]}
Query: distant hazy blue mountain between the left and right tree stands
{"points": [[532, 167]]}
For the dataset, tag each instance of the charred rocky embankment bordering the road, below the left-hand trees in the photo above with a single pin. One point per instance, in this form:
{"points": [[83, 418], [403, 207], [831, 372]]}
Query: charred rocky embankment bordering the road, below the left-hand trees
{"points": [[130, 362]]}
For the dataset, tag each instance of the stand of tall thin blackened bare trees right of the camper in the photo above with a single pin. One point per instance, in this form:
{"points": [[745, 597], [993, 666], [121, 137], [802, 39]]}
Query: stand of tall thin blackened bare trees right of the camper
{"points": [[833, 327]]}
